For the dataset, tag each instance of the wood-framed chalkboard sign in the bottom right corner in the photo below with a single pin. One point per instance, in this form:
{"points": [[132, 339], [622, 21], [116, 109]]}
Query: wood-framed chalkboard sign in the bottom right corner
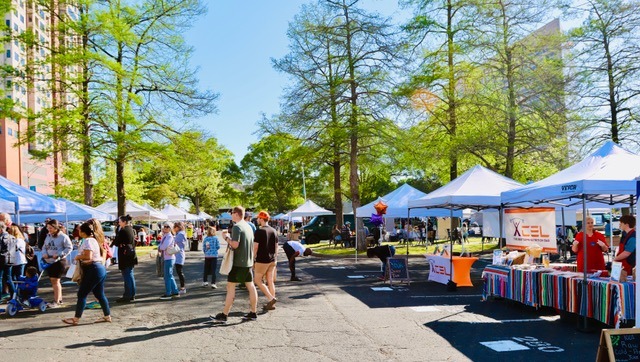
{"points": [[619, 345]]}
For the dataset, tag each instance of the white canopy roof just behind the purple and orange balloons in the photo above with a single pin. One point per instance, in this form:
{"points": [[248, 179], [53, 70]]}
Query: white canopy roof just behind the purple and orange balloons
{"points": [[397, 202]]}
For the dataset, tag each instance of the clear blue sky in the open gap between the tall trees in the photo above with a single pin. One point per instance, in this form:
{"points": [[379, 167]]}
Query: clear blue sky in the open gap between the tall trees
{"points": [[234, 43]]}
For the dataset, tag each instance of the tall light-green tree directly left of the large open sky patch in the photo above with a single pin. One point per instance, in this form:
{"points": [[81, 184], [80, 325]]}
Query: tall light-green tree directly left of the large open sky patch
{"points": [[147, 80]]}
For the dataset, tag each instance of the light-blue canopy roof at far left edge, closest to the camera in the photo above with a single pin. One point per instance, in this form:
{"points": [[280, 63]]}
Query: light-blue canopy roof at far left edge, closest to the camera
{"points": [[27, 201]]}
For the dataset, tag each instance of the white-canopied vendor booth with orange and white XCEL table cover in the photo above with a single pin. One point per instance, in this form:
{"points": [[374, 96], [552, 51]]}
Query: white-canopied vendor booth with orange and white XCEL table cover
{"points": [[477, 188]]}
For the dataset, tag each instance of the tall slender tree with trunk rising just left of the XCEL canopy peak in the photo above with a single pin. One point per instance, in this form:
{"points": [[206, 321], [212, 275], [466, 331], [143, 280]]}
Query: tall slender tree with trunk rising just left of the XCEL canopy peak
{"points": [[441, 27]]}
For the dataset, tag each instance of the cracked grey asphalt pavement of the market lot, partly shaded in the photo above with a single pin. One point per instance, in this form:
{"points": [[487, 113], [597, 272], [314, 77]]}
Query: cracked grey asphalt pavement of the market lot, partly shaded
{"points": [[339, 312]]}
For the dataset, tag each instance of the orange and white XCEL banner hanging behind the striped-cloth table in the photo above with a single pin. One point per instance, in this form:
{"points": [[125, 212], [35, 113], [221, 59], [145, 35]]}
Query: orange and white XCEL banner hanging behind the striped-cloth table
{"points": [[526, 227]]}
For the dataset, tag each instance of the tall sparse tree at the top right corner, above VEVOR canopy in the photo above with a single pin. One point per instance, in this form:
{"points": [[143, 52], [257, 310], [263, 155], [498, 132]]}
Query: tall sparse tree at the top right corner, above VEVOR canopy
{"points": [[607, 65]]}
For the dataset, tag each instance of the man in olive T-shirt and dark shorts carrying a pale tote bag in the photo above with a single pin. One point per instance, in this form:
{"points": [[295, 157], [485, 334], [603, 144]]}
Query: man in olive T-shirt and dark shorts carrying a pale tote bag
{"points": [[241, 241]]}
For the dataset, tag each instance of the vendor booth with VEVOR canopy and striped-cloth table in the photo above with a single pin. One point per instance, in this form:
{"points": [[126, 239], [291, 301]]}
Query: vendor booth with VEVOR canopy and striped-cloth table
{"points": [[606, 177]]}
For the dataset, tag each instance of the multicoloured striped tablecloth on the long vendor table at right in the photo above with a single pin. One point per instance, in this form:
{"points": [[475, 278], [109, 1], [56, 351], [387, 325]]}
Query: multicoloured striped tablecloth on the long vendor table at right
{"points": [[598, 298]]}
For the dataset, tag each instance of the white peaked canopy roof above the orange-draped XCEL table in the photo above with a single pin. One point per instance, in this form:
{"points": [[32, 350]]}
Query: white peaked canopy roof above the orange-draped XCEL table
{"points": [[477, 188]]}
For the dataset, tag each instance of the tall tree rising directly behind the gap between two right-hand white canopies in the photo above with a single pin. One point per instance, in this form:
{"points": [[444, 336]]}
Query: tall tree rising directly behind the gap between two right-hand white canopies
{"points": [[518, 88]]}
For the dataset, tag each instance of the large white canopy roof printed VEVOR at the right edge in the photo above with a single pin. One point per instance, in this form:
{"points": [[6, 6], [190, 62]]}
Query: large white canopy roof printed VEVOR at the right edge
{"points": [[607, 176]]}
